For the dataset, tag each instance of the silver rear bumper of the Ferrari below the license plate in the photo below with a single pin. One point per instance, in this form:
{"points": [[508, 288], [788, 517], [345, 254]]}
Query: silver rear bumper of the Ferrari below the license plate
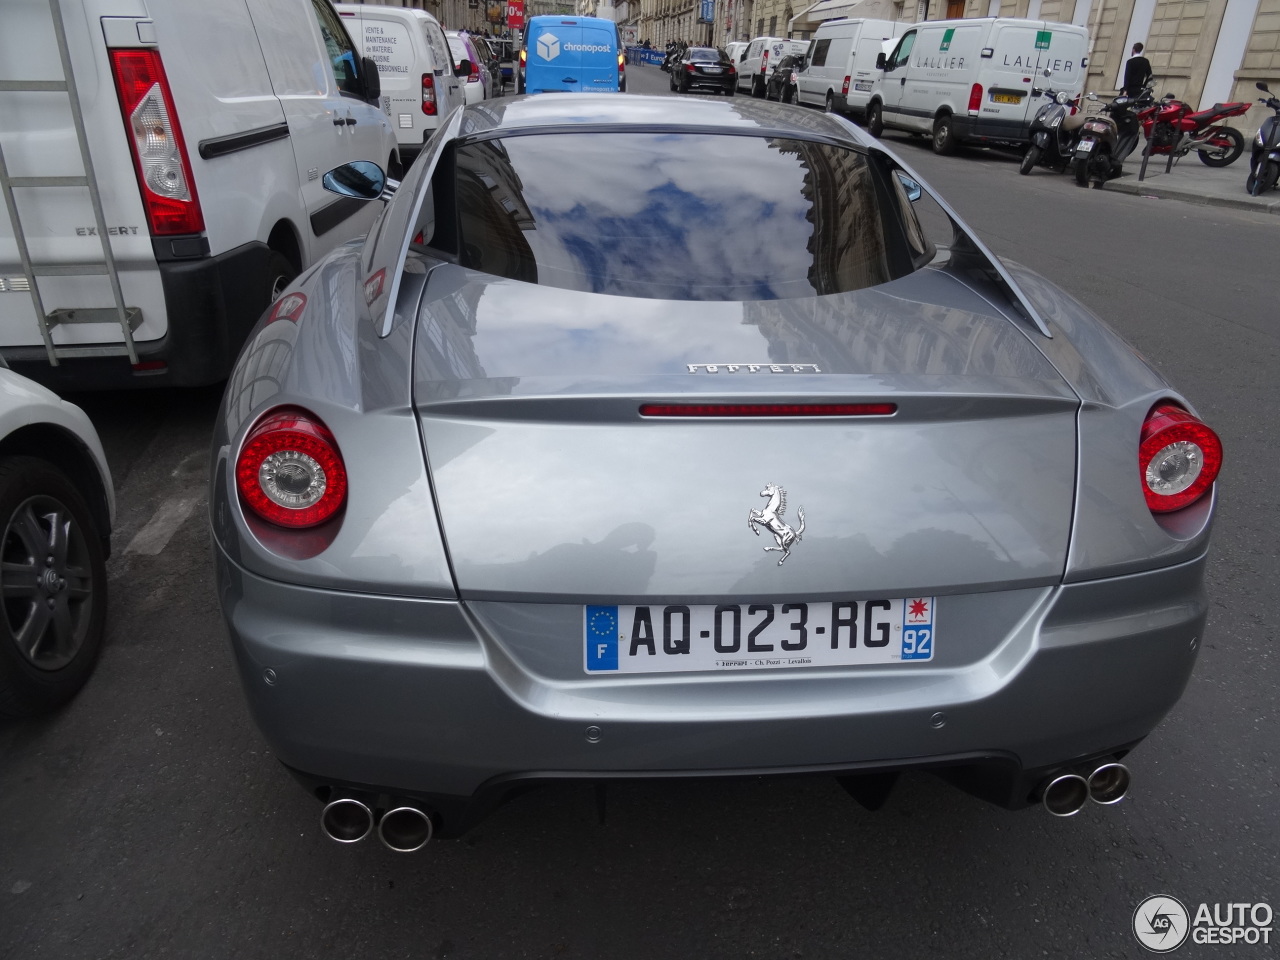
{"points": [[415, 698]]}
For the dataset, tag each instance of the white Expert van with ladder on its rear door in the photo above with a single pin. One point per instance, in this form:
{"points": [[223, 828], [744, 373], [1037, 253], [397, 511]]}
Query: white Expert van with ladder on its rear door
{"points": [[158, 203]]}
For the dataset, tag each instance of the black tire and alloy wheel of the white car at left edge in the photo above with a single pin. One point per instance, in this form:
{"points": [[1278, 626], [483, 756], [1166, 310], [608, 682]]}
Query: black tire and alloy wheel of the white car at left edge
{"points": [[36, 499]]}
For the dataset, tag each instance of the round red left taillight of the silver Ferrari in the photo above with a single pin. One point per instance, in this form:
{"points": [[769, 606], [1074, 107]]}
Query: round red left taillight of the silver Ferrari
{"points": [[290, 470]]}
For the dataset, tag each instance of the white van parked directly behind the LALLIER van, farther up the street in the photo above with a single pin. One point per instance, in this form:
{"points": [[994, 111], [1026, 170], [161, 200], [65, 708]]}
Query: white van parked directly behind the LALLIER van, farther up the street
{"points": [[842, 65]]}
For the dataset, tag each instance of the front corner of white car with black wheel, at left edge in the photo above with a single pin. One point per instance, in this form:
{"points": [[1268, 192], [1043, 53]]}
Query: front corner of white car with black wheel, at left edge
{"points": [[57, 508]]}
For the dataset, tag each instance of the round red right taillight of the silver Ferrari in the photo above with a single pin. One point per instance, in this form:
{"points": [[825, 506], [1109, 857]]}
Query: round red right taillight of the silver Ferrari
{"points": [[1178, 459]]}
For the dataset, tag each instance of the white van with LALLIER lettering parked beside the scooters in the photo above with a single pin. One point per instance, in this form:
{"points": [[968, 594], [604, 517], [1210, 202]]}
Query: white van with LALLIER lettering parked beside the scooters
{"points": [[972, 80]]}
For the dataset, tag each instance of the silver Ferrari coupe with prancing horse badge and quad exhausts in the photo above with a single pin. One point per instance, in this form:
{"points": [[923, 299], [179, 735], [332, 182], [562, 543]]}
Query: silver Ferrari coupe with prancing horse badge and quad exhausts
{"points": [[650, 437]]}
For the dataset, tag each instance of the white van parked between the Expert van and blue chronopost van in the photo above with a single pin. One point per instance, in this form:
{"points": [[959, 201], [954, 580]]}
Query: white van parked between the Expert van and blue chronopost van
{"points": [[415, 65]]}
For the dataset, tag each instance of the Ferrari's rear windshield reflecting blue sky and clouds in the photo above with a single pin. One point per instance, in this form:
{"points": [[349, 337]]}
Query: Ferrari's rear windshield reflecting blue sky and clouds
{"points": [[670, 217]]}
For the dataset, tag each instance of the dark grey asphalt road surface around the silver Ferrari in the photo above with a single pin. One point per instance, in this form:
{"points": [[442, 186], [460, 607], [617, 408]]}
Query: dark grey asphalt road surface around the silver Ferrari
{"points": [[150, 820]]}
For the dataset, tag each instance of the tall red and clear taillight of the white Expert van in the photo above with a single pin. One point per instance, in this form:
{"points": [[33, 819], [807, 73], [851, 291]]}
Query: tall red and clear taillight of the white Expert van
{"points": [[156, 139]]}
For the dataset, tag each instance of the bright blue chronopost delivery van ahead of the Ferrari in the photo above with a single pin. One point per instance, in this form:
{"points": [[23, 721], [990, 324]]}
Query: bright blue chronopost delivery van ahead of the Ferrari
{"points": [[573, 54]]}
